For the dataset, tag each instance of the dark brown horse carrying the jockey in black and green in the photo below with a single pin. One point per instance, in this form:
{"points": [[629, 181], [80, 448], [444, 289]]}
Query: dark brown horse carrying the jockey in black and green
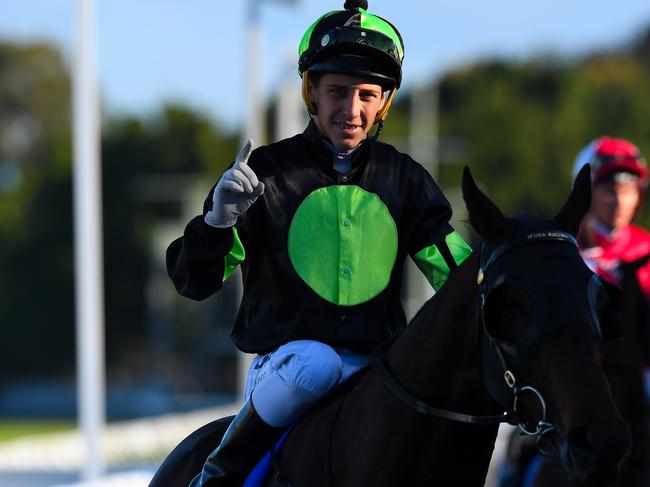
{"points": [[518, 327]]}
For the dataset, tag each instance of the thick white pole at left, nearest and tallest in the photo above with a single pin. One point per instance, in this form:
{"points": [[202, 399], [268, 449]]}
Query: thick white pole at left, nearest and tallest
{"points": [[88, 244]]}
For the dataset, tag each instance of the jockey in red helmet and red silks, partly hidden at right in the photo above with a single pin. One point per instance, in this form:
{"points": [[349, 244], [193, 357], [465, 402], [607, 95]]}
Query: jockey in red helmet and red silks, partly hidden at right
{"points": [[607, 237]]}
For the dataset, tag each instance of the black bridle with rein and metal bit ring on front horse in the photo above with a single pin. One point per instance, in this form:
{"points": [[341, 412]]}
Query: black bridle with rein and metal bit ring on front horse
{"points": [[512, 415]]}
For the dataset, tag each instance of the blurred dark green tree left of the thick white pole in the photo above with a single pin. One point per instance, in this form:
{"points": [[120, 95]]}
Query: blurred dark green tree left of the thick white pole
{"points": [[36, 293]]}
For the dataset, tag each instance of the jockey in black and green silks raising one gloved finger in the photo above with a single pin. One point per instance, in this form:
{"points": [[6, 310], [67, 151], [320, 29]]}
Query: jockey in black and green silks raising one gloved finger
{"points": [[321, 224]]}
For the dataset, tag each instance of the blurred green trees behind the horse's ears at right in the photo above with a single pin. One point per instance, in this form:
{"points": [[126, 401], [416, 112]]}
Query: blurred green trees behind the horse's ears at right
{"points": [[525, 122]]}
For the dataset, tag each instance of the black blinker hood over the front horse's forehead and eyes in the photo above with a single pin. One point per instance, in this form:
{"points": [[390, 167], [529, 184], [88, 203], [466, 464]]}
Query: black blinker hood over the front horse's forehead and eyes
{"points": [[559, 300]]}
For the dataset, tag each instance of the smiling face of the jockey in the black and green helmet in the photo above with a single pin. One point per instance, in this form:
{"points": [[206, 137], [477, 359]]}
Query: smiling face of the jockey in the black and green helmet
{"points": [[346, 107]]}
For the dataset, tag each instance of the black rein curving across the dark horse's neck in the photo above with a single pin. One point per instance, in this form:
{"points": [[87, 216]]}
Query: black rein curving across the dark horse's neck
{"points": [[396, 388]]}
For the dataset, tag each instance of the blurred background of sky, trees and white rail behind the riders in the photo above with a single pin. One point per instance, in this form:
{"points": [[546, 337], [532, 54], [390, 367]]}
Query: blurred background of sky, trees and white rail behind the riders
{"points": [[509, 88]]}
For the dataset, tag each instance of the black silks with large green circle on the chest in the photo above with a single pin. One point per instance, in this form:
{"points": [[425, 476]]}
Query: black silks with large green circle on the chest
{"points": [[322, 252]]}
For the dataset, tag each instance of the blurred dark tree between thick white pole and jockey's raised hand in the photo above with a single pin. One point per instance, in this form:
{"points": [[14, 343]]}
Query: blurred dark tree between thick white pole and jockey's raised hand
{"points": [[135, 155]]}
